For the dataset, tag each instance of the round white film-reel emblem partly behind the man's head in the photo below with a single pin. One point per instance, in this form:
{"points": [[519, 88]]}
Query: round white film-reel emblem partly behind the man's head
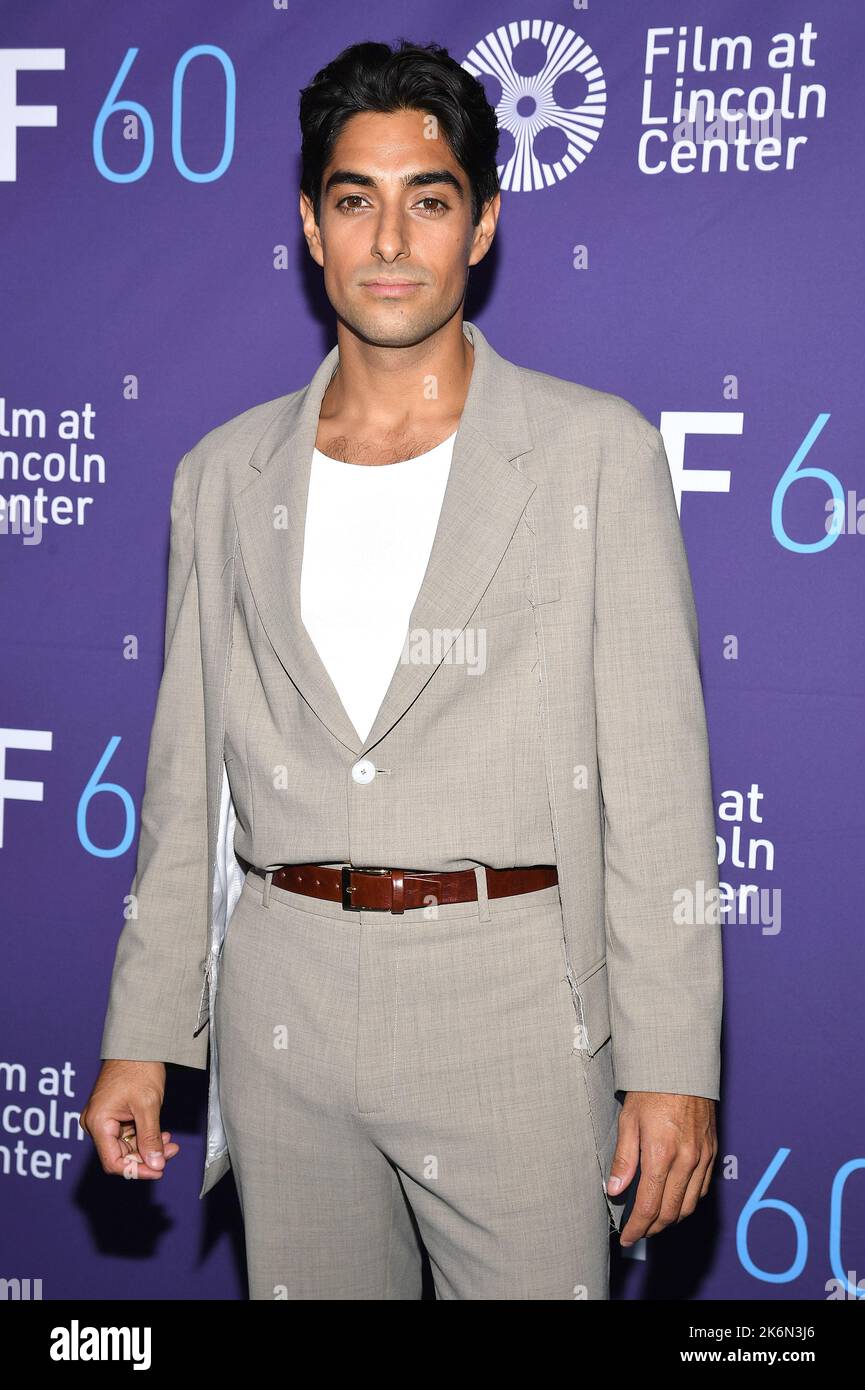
{"points": [[550, 99]]}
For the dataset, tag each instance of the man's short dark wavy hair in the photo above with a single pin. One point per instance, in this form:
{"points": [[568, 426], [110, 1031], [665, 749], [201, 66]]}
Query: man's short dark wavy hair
{"points": [[373, 77]]}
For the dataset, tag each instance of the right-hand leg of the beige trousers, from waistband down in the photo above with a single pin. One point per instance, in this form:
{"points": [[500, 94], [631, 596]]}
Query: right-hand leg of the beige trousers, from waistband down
{"points": [[468, 1079]]}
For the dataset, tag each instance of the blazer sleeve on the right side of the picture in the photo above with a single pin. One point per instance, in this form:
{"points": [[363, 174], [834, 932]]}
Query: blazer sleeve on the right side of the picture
{"points": [[663, 917]]}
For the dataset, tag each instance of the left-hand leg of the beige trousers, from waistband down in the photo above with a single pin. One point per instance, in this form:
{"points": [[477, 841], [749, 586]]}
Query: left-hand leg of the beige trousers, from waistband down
{"points": [[325, 1211]]}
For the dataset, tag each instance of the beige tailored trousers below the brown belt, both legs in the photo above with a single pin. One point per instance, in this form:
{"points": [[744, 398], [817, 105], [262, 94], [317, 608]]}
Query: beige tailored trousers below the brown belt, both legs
{"points": [[390, 1079]]}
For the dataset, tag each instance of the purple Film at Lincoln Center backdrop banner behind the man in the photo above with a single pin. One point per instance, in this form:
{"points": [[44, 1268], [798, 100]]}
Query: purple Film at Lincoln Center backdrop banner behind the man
{"points": [[682, 226]]}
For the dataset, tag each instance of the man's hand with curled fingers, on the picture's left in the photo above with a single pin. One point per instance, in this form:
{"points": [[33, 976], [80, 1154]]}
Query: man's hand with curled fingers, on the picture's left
{"points": [[127, 1100]]}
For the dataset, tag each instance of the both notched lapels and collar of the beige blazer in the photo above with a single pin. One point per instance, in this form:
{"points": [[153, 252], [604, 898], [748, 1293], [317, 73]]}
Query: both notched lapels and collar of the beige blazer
{"points": [[485, 500]]}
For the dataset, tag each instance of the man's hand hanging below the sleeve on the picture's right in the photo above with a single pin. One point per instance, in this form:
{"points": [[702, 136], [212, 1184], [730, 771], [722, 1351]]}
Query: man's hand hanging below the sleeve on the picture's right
{"points": [[675, 1140]]}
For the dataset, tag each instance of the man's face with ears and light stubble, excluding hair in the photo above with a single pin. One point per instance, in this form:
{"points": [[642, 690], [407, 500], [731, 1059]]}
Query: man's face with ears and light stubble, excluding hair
{"points": [[376, 230]]}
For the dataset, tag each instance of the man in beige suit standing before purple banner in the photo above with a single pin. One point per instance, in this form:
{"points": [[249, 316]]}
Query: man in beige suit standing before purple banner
{"points": [[429, 782]]}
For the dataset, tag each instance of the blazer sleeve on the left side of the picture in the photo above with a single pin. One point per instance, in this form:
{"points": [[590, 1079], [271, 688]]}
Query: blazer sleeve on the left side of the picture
{"points": [[159, 964]]}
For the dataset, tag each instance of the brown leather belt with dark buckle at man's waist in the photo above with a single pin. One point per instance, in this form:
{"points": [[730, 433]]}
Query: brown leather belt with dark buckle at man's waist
{"points": [[394, 890]]}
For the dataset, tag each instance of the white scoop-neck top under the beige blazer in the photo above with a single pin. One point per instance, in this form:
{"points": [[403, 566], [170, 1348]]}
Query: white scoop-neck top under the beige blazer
{"points": [[366, 546]]}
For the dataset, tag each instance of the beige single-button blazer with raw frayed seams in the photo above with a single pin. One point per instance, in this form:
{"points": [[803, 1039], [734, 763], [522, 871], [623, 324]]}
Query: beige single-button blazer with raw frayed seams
{"points": [[583, 742]]}
